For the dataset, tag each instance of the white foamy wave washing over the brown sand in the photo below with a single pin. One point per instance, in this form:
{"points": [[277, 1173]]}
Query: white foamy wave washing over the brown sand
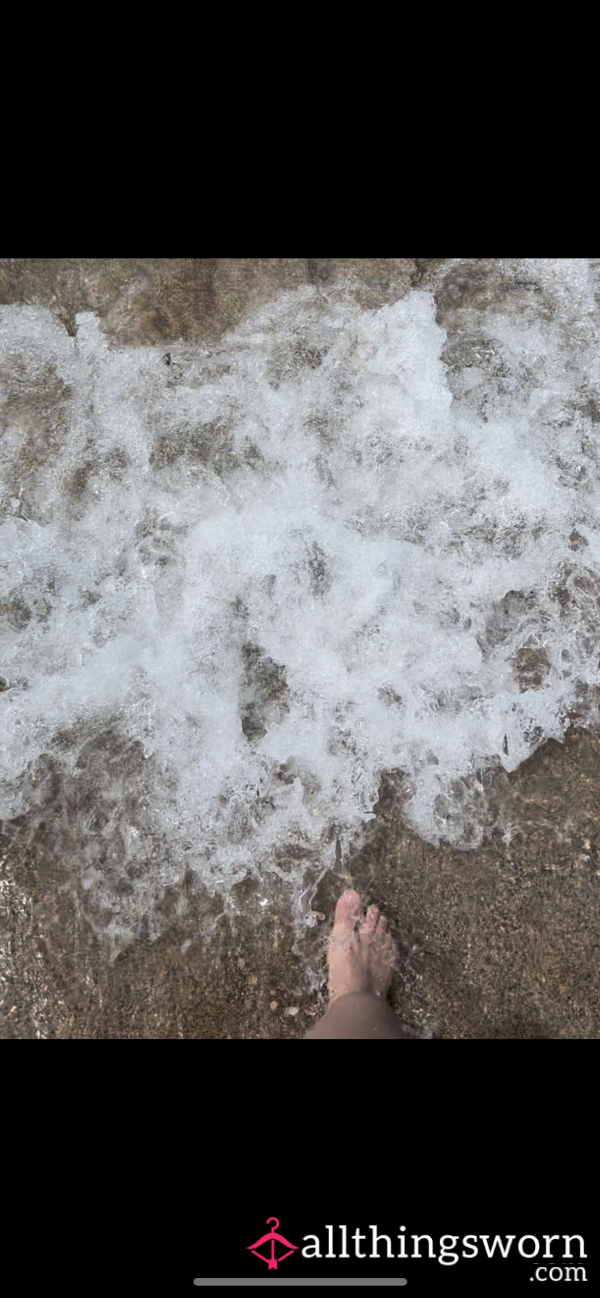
{"points": [[368, 537]]}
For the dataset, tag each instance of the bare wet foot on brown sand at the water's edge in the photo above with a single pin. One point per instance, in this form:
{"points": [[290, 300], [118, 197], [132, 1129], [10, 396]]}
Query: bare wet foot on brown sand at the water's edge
{"points": [[362, 951]]}
